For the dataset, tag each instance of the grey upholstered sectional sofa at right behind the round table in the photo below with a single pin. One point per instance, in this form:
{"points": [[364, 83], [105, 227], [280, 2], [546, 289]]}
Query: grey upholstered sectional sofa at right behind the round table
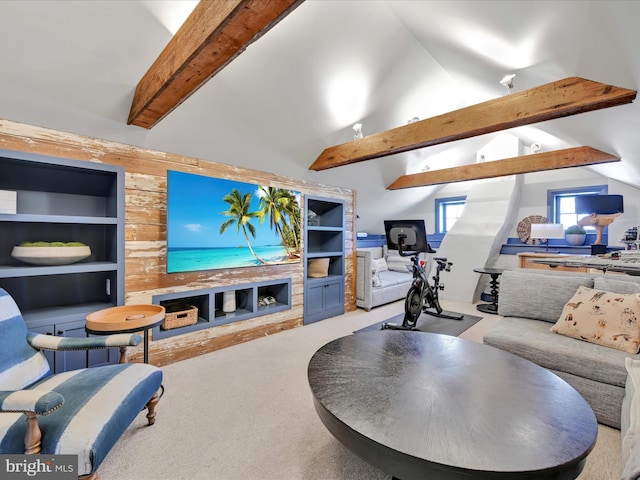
{"points": [[533, 301]]}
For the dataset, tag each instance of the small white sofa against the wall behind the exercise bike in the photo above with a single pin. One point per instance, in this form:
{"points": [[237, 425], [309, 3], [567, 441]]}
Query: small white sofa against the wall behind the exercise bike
{"points": [[394, 281]]}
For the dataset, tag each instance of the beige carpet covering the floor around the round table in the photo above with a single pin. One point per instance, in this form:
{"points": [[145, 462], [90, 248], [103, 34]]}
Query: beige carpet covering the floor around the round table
{"points": [[246, 412]]}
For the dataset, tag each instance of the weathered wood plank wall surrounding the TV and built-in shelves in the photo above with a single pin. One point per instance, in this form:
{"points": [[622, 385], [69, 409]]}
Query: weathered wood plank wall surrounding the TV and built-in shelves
{"points": [[146, 234]]}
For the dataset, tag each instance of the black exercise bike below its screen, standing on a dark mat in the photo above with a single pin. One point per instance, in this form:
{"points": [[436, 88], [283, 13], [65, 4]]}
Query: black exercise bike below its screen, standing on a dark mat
{"points": [[422, 296]]}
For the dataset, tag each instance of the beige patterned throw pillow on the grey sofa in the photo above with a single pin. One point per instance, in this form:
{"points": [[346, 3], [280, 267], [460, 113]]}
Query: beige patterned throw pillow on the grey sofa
{"points": [[605, 318]]}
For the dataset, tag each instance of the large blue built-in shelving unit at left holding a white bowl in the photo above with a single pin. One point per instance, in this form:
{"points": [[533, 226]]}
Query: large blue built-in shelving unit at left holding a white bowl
{"points": [[63, 200]]}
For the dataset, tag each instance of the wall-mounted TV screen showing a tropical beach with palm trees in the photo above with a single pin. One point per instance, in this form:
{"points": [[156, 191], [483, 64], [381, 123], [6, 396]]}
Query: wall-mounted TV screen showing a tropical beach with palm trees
{"points": [[215, 223]]}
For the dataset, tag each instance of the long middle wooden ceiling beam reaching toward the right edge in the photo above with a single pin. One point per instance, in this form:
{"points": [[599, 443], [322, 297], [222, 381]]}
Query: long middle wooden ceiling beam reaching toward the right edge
{"points": [[553, 100]]}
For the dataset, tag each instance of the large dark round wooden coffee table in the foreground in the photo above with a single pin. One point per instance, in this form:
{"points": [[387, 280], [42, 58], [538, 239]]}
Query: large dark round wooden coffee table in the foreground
{"points": [[422, 405]]}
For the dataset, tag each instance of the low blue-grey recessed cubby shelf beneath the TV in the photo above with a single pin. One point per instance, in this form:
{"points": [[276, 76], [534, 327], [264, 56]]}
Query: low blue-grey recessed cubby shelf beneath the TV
{"points": [[209, 302]]}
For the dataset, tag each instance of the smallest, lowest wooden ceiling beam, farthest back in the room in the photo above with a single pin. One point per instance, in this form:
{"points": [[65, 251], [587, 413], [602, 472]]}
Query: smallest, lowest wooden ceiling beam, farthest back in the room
{"points": [[567, 158]]}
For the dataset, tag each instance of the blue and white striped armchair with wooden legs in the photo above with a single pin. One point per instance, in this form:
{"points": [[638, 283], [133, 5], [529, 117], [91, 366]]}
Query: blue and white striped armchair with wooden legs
{"points": [[81, 412]]}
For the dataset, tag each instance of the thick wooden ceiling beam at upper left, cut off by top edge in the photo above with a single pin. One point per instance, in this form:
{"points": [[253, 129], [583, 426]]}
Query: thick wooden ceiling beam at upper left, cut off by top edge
{"points": [[216, 32]]}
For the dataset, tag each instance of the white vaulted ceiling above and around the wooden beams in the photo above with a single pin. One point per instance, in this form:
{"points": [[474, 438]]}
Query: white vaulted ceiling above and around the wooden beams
{"points": [[74, 65]]}
